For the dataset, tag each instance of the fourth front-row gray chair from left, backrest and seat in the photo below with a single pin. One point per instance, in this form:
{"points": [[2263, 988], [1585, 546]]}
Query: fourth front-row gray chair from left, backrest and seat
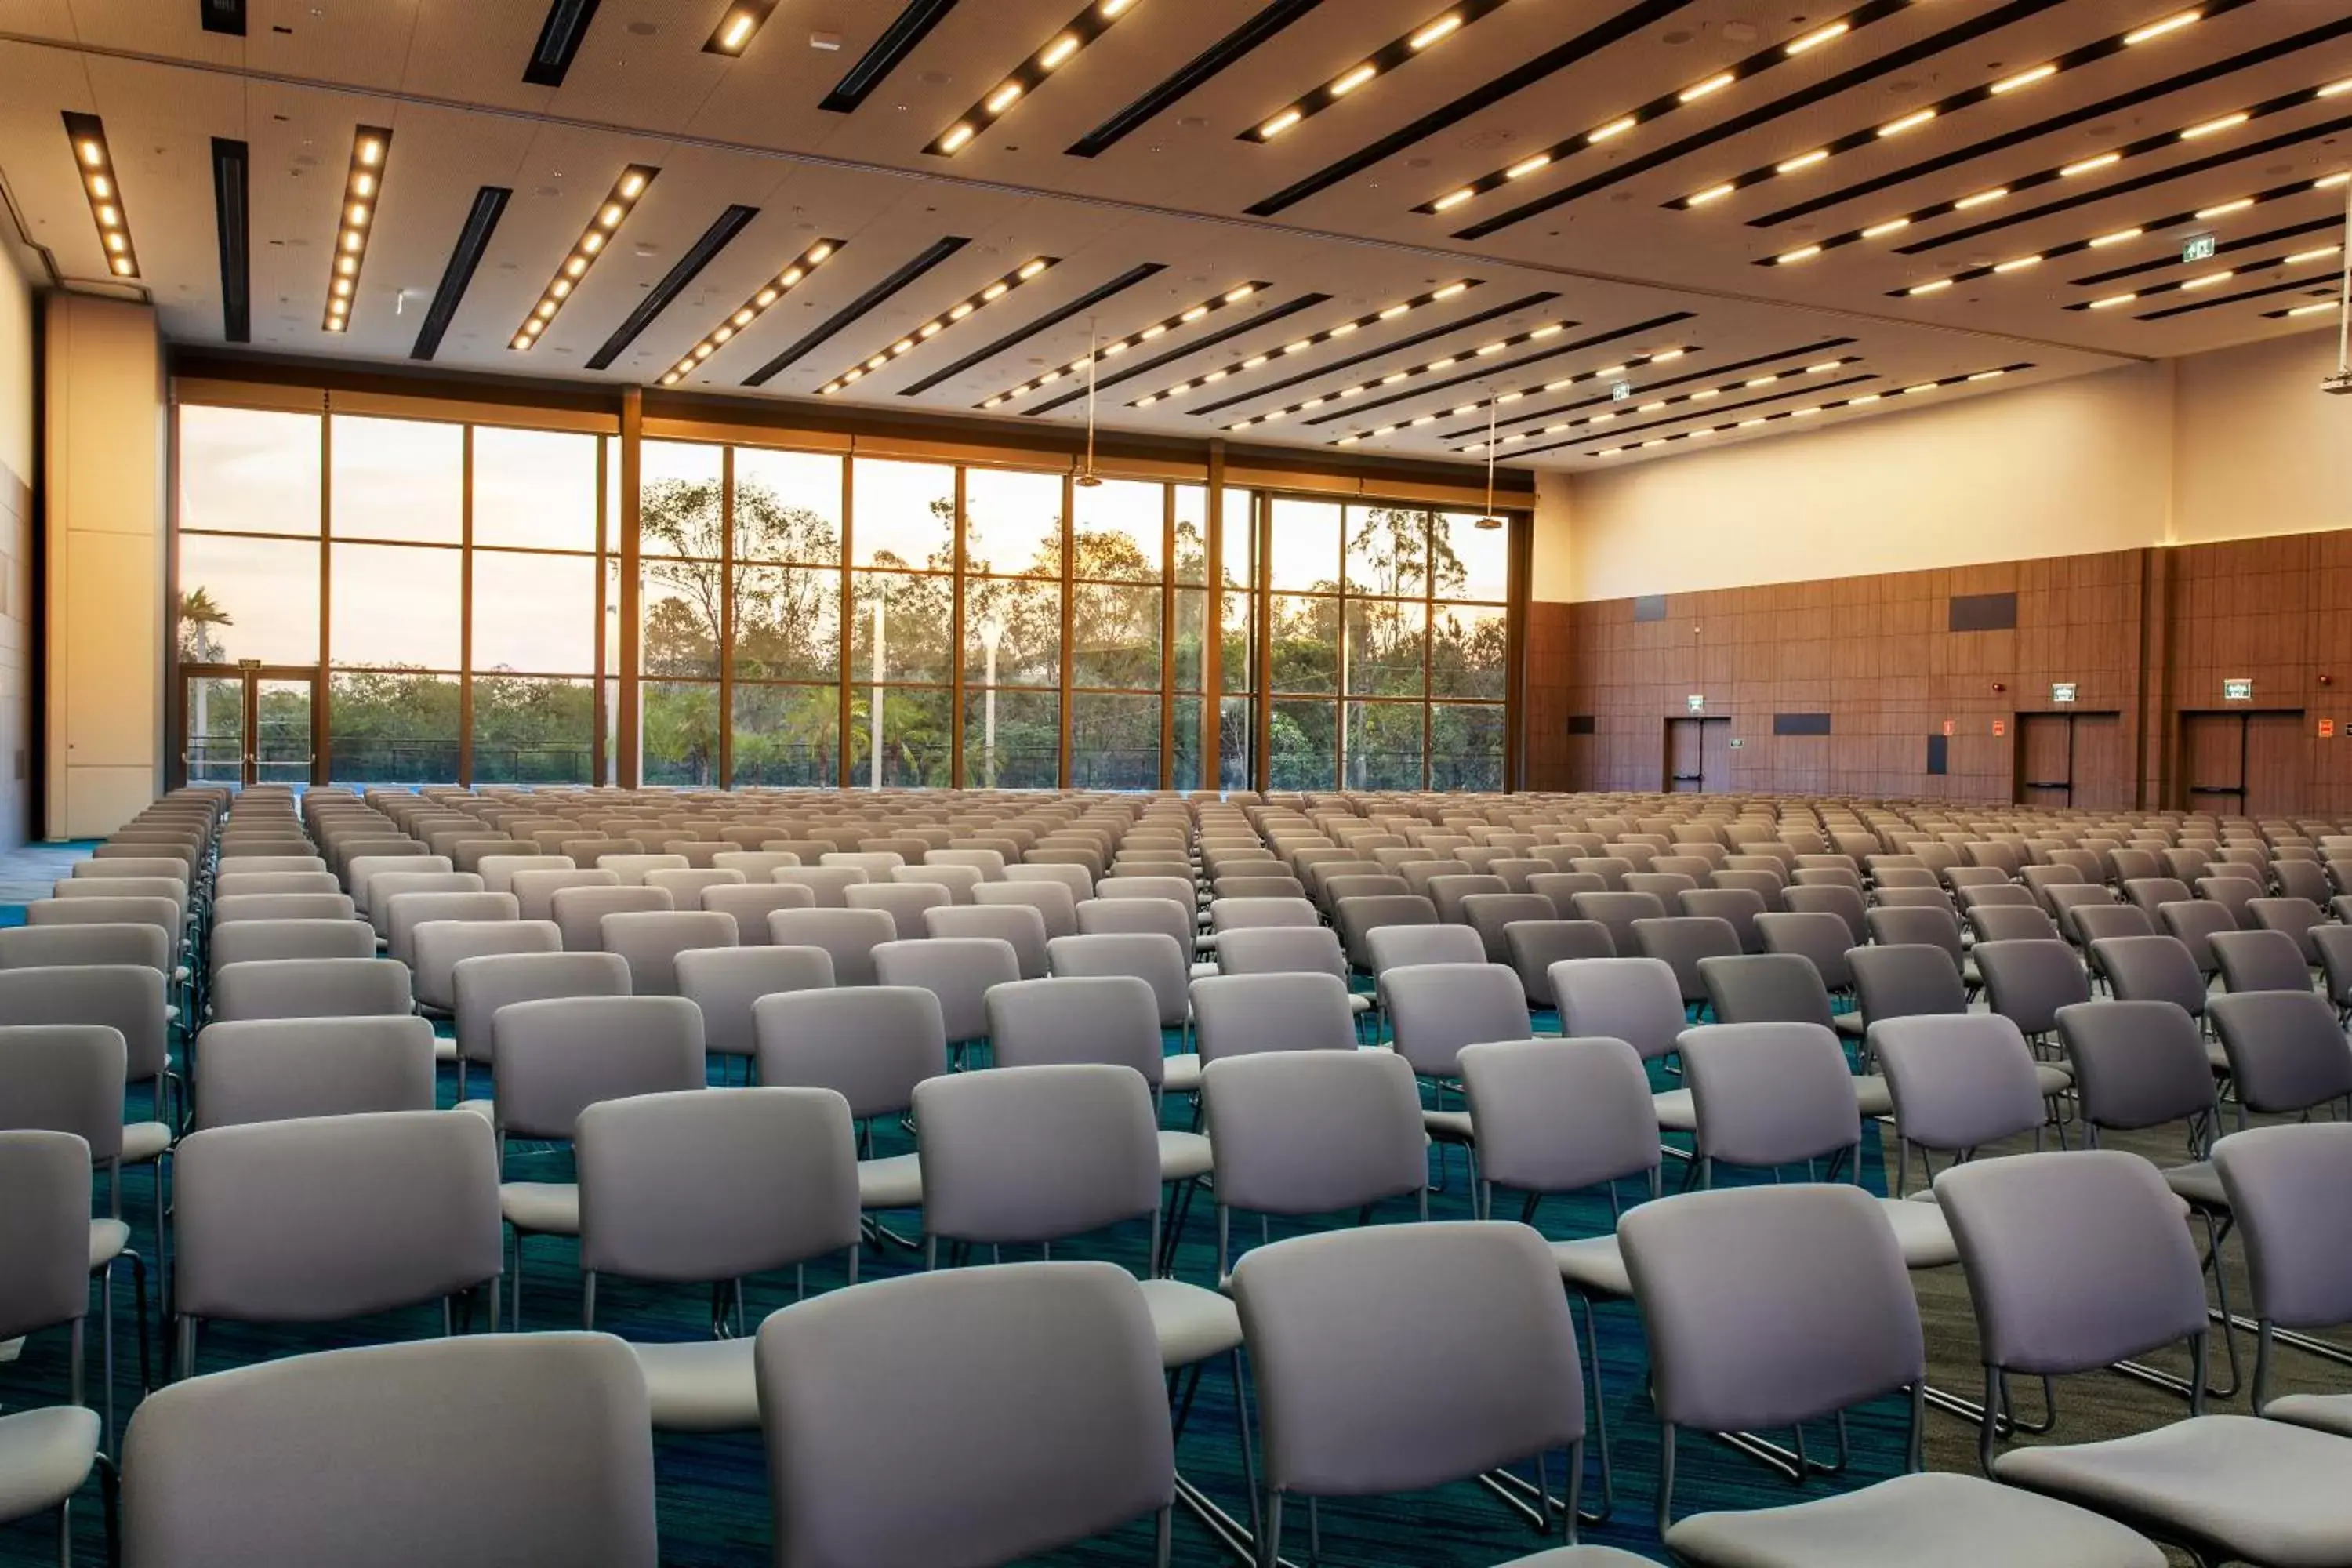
{"points": [[1777, 1306]]}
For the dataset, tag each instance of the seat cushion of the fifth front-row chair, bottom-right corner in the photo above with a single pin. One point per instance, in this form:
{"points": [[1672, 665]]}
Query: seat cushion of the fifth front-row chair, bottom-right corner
{"points": [[2240, 1489]]}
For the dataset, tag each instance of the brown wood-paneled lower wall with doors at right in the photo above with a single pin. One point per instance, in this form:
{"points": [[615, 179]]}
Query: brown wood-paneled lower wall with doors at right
{"points": [[2141, 634]]}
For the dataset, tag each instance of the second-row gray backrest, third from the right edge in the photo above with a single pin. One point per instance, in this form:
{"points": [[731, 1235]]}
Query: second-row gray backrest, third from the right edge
{"points": [[1958, 1080]]}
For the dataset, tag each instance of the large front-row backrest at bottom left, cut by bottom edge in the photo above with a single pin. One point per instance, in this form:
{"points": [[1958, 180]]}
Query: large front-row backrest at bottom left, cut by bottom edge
{"points": [[467, 1454]]}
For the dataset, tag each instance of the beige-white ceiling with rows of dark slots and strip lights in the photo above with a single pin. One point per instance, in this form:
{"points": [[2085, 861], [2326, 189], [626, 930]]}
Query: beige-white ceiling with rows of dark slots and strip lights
{"points": [[446, 76]]}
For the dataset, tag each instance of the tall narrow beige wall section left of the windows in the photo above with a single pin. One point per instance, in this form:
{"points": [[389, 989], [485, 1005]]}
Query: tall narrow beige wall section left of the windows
{"points": [[105, 434]]}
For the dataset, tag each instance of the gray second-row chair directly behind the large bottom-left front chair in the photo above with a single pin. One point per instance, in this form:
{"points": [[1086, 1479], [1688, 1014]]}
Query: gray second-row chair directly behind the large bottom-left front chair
{"points": [[328, 1219]]}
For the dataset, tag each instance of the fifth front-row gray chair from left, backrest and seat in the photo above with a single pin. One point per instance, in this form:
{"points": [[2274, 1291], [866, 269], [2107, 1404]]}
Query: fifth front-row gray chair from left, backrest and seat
{"points": [[2080, 1261]]}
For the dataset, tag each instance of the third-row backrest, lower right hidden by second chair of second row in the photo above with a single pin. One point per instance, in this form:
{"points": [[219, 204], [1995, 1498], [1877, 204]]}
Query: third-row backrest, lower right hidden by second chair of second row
{"points": [[561, 1057]]}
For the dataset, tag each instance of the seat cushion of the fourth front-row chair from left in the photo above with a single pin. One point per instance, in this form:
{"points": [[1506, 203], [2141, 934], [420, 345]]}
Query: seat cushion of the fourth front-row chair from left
{"points": [[1920, 1522]]}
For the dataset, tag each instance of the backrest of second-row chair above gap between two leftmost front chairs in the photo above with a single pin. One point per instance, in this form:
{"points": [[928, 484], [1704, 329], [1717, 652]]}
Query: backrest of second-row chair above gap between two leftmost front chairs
{"points": [[716, 1184]]}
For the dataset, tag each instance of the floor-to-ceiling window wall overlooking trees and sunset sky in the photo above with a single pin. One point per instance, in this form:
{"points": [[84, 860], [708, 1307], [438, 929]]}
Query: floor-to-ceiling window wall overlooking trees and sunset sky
{"points": [[815, 619]]}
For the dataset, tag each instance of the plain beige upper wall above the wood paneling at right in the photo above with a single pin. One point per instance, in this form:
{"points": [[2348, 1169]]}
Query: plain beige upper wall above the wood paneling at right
{"points": [[2226, 445]]}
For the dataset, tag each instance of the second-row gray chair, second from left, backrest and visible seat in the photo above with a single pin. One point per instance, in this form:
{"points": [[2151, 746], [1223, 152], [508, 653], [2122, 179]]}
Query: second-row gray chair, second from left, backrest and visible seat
{"points": [[714, 1186]]}
